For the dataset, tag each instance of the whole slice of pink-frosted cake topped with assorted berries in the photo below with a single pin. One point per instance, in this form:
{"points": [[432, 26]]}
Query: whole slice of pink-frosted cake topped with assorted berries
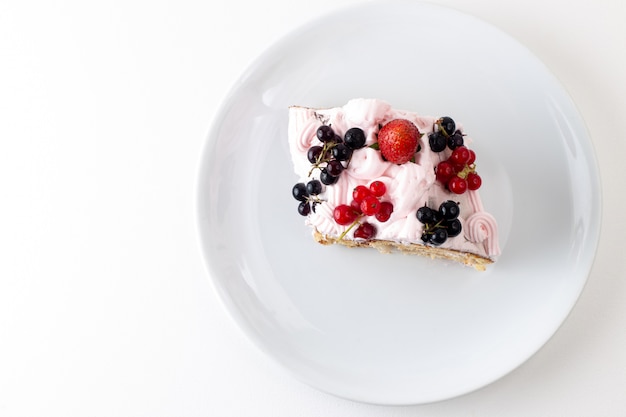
{"points": [[373, 176]]}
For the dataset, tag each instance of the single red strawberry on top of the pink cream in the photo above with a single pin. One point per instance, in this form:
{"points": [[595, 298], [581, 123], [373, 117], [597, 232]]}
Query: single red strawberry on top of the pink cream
{"points": [[397, 141]]}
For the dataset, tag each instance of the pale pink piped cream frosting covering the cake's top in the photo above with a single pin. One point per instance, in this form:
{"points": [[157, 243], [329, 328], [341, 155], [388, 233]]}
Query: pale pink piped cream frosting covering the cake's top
{"points": [[409, 186]]}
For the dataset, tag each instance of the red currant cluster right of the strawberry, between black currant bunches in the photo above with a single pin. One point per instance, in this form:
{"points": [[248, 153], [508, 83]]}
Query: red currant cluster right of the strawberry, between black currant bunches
{"points": [[458, 172]]}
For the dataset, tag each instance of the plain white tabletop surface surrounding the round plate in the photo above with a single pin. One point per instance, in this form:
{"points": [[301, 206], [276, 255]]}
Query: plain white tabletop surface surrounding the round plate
{"points": [[105, 305]]}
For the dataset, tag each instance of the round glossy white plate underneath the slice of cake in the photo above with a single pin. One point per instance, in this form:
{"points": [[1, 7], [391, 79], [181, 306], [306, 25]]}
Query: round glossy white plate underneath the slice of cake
{"points": [[395, 329]]}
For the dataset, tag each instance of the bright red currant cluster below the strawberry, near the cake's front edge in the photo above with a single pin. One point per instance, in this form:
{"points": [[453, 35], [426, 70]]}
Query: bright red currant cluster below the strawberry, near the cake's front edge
{"points": [[365, 202]]}
